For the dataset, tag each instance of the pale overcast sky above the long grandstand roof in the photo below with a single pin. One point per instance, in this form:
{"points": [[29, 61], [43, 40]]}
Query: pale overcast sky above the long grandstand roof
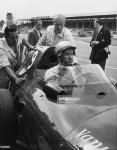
{"points": [[34, 8]]}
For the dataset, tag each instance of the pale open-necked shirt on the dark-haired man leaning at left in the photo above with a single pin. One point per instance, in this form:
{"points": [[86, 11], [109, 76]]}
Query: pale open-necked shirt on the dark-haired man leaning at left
{"points": [[8, 58]]}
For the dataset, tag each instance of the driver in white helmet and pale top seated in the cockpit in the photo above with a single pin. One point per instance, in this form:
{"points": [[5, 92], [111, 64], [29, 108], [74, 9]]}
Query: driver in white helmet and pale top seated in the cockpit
{"points": [[64, 72]]}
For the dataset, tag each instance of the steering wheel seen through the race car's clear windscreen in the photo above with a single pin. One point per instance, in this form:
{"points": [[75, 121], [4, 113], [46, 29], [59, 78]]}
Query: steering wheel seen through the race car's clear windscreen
{"points": [[84, 77]]}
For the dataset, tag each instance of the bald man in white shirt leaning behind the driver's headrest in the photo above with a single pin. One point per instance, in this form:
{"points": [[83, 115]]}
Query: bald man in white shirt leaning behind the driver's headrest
{"points": [[56, 33]]}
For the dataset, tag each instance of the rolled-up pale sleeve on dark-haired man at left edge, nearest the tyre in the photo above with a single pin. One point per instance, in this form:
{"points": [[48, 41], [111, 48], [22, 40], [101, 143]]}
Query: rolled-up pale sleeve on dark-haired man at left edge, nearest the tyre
{"points": [[3, 59]]}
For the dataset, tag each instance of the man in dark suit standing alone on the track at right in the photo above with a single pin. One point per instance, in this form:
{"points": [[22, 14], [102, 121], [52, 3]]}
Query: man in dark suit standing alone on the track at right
{"points": [[101, 39]]}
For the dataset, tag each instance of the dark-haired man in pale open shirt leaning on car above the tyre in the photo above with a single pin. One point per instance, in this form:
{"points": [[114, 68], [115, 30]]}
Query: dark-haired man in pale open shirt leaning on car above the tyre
{"points": [[10, 56]]}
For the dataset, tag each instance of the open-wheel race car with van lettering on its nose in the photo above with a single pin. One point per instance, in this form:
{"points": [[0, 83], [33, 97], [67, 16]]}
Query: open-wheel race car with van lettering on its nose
{"points": [[77, 116]]}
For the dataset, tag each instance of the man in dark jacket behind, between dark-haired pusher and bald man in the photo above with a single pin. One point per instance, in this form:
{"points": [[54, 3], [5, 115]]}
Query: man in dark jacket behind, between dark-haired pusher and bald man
{"points": [[35, 34]]}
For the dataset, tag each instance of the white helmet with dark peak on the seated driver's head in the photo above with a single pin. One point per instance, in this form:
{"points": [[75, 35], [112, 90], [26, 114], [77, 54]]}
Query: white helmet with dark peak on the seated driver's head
{"points": [[63, 45]]}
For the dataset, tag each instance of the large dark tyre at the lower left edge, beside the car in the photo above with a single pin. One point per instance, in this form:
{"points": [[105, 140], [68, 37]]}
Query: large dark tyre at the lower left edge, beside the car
{"points": [[8, 119]]}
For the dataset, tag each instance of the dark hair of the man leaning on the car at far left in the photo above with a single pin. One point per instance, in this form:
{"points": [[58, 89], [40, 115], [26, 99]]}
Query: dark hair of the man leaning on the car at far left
{"points": [[10, 28]]}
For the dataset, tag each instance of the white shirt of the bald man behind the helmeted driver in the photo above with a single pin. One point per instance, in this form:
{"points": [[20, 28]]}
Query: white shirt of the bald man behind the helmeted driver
{"points": [[49, 38]]}
